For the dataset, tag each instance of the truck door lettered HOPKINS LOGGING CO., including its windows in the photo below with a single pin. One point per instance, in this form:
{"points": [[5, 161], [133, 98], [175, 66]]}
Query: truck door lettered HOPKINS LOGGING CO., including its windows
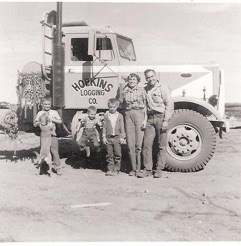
{"points": [[90, 79]]}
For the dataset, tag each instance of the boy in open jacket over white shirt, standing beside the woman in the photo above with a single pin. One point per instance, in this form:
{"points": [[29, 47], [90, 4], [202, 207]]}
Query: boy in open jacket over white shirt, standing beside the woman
{"points": [[113, 136]]}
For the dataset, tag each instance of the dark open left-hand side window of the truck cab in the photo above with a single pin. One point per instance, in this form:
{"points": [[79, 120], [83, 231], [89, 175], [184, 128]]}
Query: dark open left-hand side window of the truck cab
{"points": [[79, 50]]}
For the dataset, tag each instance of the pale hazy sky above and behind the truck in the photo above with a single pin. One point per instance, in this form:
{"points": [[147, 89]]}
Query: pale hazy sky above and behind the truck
{"points": [[163, 34]]}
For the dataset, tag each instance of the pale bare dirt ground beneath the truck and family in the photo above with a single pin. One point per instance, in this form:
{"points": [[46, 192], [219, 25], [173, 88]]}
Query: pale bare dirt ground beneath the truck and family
{"points": [[85, 205]]}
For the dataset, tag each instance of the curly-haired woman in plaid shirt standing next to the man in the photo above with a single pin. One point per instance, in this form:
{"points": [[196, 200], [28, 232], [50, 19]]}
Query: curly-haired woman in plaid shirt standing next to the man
{"points": [[133, 102]]}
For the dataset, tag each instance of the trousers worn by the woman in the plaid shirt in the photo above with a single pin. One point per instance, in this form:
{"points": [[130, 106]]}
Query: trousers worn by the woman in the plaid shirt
{"points": [[134, 135]]}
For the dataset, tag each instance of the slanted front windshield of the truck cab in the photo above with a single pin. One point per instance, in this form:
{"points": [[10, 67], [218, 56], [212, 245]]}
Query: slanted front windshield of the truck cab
{"points": [[126, 48]]}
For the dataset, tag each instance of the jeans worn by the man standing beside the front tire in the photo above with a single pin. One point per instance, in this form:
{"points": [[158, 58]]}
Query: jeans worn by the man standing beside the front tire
{"points": [[154, 126]]}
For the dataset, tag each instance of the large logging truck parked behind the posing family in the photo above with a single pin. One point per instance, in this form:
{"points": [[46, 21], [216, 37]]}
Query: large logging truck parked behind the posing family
{"points": [[84, 65]]}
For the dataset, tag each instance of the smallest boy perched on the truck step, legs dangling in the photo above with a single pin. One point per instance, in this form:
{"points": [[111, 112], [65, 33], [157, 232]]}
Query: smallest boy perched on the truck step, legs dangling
{"points": [[90, 132]]}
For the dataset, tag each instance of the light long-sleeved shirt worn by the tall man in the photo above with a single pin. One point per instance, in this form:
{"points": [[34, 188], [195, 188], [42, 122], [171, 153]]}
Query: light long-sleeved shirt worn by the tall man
{"points": [[159, 100]]}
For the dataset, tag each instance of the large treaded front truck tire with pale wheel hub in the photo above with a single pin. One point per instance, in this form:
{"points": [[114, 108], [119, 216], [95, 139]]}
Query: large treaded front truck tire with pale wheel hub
{"points": [[191, 141]]}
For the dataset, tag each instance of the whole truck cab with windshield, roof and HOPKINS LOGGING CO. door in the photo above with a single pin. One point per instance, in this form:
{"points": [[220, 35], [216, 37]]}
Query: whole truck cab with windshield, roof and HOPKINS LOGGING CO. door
{"points": [[92, 61]]}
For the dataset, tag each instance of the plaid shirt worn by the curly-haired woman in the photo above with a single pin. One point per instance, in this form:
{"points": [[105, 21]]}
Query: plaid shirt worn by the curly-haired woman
{"points": [[132, 98]]}
